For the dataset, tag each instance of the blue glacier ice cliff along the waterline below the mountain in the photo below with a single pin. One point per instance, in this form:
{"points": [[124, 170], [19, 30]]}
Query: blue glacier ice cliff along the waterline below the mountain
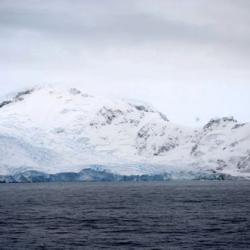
{"points": [[93, 175]]}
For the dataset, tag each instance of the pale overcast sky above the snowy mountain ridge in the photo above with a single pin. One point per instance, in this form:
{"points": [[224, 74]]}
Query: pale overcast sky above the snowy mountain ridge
{"points": [[189, 59]]}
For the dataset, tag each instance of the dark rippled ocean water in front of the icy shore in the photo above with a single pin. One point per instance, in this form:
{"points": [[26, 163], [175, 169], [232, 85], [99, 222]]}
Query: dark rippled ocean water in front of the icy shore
{"points": [[170, 215]]}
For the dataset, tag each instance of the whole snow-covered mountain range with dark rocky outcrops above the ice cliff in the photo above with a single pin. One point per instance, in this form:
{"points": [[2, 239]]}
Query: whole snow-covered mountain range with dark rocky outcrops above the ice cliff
{"points": [[55, 130]]}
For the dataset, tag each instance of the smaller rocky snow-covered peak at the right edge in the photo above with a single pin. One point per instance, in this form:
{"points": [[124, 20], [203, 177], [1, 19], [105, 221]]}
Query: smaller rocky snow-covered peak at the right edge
{"points": [[224, 144]]}
